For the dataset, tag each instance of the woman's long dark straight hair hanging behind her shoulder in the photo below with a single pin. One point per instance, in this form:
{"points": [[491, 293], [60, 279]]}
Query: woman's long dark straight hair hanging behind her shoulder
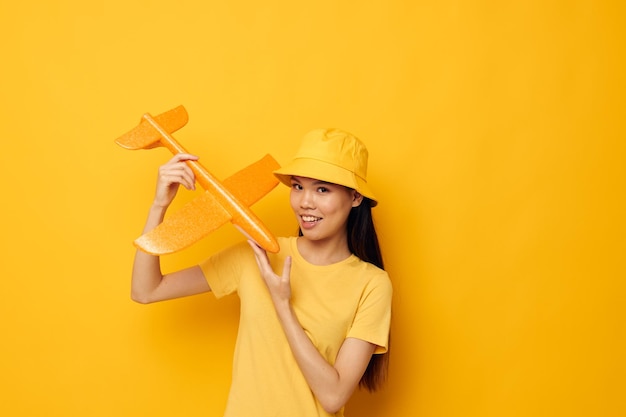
{"points": [[363, 242]]}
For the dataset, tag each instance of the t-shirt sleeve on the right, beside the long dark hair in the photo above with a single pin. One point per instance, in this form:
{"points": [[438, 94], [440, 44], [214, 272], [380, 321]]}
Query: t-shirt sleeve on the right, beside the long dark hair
{"points": [[373, 317]]}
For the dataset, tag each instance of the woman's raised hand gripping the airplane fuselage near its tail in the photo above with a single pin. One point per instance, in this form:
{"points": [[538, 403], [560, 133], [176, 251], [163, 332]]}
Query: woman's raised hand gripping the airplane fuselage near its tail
{"points": [[172, 174]]}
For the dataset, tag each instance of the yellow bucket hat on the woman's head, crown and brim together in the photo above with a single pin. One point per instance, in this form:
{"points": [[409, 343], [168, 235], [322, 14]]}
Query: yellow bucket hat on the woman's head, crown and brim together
{"points": [[330, 155]]}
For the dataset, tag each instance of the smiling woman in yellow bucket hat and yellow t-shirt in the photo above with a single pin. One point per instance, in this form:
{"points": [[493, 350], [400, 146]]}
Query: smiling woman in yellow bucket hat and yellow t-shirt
{"points": [[314, 317]]}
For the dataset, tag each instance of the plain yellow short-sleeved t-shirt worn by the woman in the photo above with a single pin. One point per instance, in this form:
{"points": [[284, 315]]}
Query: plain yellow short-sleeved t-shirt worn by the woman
{"points": [[351, 298]]}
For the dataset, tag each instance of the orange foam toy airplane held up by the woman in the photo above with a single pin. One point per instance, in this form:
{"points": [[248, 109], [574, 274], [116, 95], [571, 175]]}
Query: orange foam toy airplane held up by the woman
{"points": [[222, 201]]}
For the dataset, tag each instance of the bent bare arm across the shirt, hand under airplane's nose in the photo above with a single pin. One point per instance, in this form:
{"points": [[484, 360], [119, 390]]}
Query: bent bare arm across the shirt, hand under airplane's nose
{"points": [[332, 384]]}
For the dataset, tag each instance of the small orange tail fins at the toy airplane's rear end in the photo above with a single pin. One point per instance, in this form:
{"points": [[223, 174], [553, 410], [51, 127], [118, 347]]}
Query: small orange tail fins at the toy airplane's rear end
{"points": [[145, 136]]}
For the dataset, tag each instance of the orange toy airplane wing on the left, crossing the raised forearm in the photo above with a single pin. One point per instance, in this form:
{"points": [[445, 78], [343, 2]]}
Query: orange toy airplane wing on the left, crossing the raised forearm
{"points": [[192, 222]]}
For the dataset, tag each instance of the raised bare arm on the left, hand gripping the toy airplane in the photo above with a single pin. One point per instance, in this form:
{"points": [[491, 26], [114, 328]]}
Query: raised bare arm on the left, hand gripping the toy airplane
{"points": [[148, 283]]}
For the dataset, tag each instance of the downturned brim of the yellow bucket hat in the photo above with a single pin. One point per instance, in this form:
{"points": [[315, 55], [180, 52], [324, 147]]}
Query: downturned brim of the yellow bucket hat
{"points": [[324, 171]]}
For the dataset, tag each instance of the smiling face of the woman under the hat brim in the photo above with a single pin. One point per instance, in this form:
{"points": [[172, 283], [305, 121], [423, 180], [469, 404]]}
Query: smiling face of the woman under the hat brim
{"points": [[322, 208]]}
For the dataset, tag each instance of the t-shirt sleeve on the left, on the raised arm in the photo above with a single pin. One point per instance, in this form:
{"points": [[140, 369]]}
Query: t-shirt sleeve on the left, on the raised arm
{"points": [[223, 269]]}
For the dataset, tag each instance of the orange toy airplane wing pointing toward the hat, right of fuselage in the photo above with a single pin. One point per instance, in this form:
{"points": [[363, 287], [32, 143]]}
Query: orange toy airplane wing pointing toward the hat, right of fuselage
{"points": [[254, 181]]}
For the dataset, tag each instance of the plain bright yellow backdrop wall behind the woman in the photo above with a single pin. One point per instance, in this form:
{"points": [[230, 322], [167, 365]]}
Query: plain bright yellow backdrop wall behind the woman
{"points": [[497, 149]]}
